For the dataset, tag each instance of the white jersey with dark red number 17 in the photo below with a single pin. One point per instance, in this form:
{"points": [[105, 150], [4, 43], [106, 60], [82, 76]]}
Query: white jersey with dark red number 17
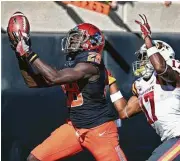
{"points": [[161, 104]]}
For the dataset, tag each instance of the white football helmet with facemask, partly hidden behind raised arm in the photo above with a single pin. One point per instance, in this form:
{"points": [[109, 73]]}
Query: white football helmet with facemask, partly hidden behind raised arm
{"points": [[143, 67]]}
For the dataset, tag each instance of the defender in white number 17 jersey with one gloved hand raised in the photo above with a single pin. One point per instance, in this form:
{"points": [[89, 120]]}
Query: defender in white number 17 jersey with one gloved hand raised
{"points": [[156, 93]]}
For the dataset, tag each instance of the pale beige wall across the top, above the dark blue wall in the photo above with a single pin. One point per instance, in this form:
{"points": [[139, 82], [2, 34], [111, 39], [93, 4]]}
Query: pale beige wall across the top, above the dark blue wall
{"points": [[57, 17]]}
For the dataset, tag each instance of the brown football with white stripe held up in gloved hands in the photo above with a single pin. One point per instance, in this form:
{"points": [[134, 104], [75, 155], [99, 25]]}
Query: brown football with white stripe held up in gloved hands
{"points": [[18, 22]]}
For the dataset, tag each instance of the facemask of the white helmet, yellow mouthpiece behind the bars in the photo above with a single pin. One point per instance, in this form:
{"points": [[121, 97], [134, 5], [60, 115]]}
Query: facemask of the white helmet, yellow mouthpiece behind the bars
{"points": [[142, 67]]}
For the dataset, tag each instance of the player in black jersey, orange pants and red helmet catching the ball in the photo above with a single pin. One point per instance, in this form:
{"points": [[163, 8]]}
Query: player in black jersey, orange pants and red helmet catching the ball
{"points": [[91, 122]]}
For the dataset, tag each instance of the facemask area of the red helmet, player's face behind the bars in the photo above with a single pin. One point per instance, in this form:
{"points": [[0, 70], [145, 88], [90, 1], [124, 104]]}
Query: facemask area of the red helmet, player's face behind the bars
{"points": [[74, 40]]}
